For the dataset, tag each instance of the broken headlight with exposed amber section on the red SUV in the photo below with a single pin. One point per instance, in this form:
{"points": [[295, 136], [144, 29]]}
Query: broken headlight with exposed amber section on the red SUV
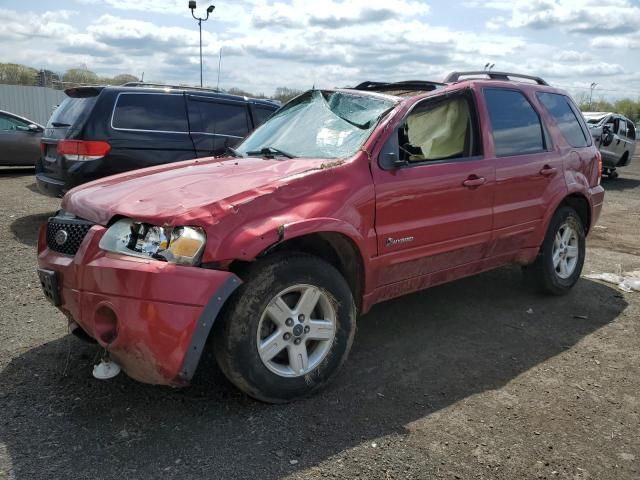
{"points": [[181, 245]]}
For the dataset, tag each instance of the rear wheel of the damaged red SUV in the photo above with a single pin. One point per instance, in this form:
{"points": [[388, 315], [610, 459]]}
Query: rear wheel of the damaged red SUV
{"points": [[559, 263]]}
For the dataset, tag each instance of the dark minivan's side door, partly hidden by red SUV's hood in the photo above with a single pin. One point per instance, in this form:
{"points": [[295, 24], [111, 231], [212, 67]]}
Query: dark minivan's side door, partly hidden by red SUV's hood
{"points": [[217, 123]]}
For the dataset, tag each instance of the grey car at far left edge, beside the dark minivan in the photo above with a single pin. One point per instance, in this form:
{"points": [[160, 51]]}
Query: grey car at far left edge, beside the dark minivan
{"points": [[19, 140]]}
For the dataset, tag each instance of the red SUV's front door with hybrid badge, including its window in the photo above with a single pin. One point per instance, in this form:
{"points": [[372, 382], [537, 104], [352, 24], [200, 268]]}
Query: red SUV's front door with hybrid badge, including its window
{"points": [[434, 191]]}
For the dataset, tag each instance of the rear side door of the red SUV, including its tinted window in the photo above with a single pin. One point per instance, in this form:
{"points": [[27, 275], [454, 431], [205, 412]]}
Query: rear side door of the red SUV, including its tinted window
{"points": [[528, 170]]}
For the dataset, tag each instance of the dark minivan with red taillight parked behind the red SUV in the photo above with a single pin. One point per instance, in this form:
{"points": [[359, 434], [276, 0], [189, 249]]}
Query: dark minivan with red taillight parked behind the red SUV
{"points": [[101, 131]]}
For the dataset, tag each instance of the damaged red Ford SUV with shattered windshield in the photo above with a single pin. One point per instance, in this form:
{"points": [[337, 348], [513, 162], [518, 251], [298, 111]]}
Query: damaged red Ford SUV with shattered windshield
{"points": [[343, 199]]}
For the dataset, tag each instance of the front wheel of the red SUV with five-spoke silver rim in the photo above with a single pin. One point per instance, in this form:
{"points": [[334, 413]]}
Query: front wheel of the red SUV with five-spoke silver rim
{"points": [[288, 328]]}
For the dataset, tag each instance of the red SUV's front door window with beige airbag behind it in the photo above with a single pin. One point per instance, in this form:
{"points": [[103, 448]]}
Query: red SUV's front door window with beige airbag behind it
{"points": [[438, 130]]}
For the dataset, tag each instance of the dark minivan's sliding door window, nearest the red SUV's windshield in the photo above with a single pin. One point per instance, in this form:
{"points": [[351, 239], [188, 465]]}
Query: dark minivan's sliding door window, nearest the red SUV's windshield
{"points": [[220, 118]]}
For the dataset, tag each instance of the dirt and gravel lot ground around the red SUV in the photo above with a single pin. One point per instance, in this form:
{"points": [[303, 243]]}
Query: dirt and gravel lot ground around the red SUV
{"points": [[480, 378]]}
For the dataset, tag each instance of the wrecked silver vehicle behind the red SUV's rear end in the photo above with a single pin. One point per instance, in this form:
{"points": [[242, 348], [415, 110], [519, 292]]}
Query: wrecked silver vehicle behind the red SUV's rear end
{"points": [[615, 136]]}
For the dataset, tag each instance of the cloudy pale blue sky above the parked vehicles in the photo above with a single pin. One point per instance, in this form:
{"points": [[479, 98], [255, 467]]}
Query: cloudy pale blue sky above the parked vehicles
{"points": [[330, 43]]}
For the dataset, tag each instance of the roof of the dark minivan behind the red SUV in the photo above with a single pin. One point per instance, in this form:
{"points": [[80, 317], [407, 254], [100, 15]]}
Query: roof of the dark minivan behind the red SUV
{"points": [[161, 88]]}
